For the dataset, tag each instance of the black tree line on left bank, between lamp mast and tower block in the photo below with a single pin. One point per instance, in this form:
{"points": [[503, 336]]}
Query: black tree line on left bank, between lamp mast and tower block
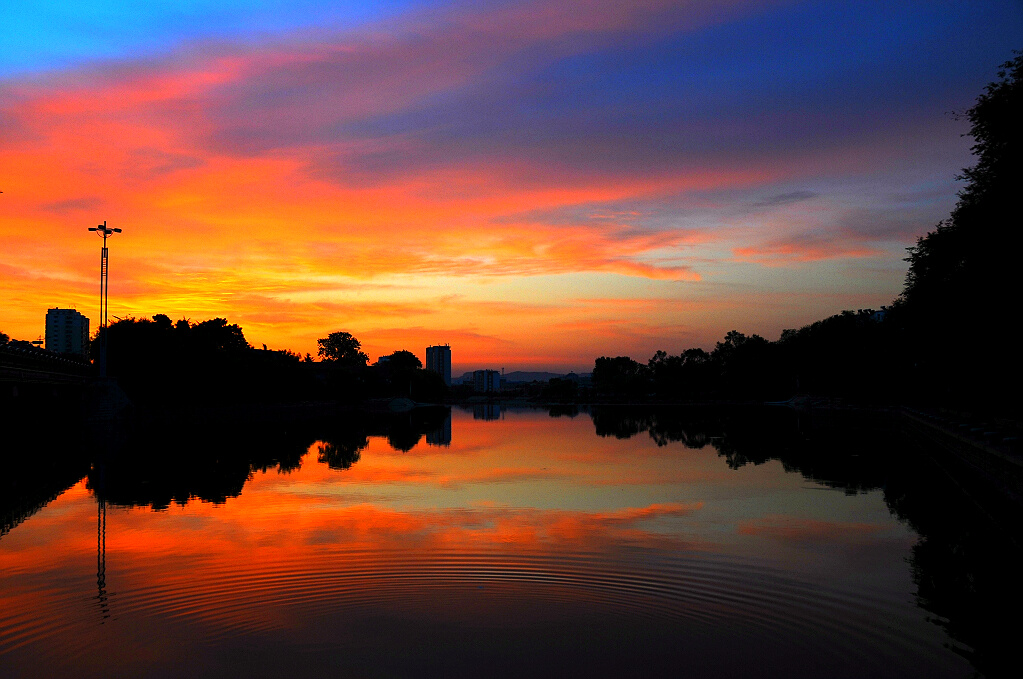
{"points": [[161, 363]]}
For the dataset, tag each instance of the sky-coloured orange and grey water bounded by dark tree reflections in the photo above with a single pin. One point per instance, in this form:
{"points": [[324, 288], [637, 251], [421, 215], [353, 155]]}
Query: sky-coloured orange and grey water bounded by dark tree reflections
{"points": [[546, 553]]}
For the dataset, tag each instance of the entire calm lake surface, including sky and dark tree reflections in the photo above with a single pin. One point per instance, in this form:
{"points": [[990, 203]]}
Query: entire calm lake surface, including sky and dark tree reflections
{"points": [[498, 544]]}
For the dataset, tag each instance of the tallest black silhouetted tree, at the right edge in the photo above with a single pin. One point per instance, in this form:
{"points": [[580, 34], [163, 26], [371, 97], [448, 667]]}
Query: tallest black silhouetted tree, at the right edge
{"points": [[963, 276]]}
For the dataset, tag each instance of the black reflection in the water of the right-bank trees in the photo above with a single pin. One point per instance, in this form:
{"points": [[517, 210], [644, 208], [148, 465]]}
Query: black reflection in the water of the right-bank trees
{"points": [[964, 566]]}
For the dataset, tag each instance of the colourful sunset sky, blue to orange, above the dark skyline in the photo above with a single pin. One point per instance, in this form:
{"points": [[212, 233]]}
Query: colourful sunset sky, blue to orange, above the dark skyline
{"points": [[535, 184]]}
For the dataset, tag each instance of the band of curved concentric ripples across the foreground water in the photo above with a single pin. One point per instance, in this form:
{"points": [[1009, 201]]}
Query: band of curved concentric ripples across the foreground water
{"points": [[702, 591]]}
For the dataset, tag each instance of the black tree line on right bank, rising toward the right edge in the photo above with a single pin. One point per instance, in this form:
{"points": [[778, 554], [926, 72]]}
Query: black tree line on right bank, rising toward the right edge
{"points": [[949, 339]]}
